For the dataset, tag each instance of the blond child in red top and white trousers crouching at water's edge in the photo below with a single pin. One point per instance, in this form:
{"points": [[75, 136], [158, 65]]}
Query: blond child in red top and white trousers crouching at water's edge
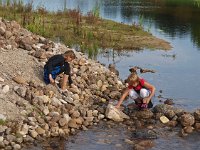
{"points": [[139, 90]]}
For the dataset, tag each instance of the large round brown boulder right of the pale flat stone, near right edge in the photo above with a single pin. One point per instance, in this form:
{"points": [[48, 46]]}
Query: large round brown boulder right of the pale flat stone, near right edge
{"points": [[187, 120]]}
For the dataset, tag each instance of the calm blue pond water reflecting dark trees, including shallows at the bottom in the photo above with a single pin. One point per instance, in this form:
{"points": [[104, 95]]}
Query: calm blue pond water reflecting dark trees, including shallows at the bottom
{"points": [[177, 71]]}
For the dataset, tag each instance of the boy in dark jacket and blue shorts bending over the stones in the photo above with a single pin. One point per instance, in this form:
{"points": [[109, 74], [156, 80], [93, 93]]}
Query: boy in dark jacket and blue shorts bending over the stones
{"points": [[58, 65]]}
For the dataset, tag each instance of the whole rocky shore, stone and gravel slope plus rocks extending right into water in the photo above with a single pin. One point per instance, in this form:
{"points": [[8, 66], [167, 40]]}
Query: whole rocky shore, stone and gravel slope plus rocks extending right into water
{"points": [[31, 110]]}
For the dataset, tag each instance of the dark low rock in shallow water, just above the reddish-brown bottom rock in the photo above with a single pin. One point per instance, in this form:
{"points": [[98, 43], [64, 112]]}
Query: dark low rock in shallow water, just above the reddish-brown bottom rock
{"points": [[144, 134]]}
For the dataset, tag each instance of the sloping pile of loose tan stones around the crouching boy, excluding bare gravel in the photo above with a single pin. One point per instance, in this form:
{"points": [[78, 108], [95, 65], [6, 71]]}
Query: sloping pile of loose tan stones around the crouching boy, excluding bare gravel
{"points": [[45, 112]]}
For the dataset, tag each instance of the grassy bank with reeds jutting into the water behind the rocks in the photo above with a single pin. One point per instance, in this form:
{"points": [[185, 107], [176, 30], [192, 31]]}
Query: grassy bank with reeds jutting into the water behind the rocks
{"points": [[72, 28]]}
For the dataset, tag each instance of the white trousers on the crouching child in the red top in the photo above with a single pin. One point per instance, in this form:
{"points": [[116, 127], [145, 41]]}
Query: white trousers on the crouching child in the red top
{"points": [[143, 93]]}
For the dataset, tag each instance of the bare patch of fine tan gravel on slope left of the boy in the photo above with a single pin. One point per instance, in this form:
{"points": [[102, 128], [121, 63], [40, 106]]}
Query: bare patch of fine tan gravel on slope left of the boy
{"points": [[16, 62]]}
